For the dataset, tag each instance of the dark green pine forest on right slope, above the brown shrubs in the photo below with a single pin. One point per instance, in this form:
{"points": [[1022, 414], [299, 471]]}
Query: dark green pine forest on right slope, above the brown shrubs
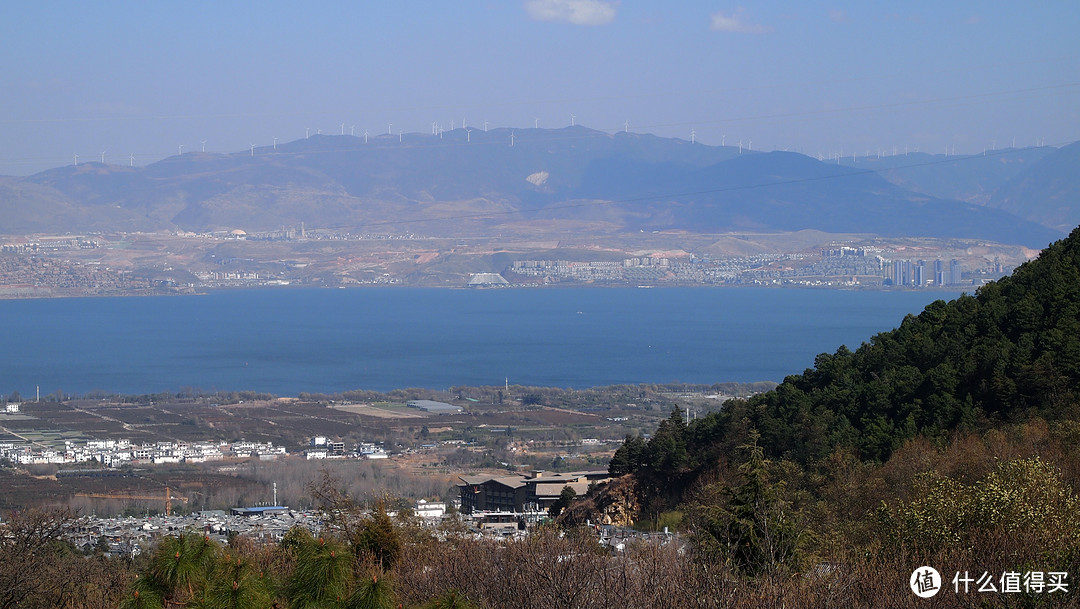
{"points": [[1007, 355]]}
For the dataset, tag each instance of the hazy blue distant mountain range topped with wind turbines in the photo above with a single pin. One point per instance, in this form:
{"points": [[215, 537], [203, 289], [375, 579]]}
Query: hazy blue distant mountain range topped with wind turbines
{"points": [[462, 183]]}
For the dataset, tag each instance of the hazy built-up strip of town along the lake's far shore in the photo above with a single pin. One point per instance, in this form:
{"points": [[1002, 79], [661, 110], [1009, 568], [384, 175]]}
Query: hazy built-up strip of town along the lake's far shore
{"points": [[139, 264]]}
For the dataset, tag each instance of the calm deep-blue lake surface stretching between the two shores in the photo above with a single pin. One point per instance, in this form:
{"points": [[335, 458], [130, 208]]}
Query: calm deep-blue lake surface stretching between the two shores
{"points": [[286, 342]]}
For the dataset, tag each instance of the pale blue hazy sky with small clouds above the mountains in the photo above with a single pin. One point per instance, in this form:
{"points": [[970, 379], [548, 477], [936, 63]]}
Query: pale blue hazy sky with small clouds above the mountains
{"points": [[144, 78]]}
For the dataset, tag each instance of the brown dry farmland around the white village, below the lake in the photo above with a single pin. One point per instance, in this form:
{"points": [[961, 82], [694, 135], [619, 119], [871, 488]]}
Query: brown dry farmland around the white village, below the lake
{"points": [[492, 438]]}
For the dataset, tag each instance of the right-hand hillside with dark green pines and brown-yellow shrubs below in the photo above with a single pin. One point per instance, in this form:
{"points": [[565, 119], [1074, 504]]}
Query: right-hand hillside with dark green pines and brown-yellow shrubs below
{"points": [[952, 440]]}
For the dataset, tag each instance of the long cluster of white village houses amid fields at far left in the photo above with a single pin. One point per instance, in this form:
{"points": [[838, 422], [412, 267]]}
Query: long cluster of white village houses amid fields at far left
{"points": [[116, 453]]}
